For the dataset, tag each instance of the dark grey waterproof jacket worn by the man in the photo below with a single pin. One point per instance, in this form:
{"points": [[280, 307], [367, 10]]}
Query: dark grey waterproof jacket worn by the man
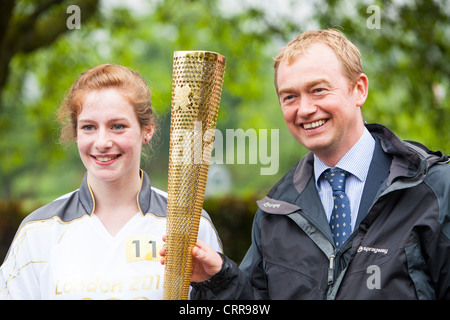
{"points": [[400, 248]]}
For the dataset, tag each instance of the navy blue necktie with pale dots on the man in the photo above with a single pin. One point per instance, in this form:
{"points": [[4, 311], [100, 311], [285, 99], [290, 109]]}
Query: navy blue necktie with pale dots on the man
{"points": [[340, 216]]}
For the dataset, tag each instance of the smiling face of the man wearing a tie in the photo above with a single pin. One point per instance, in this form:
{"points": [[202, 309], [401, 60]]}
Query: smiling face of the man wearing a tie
{"points": [[322, 108]]}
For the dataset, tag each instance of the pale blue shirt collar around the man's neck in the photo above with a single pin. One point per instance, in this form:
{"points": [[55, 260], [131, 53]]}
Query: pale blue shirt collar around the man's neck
{"points": [[356, 161]]}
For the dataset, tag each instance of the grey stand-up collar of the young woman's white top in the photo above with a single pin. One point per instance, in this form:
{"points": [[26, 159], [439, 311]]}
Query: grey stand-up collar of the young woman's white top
{"points": [[143, 199]]}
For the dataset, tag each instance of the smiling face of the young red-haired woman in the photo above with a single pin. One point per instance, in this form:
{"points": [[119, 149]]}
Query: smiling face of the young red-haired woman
{"points": [[109, 136]]}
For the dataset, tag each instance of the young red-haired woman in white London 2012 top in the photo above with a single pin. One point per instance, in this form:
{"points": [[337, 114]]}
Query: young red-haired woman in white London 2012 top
{"points": [[101, 241]]}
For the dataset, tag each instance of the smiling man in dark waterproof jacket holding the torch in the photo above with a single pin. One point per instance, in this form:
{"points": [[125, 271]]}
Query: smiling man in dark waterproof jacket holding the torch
{"points": [[364, 215]]}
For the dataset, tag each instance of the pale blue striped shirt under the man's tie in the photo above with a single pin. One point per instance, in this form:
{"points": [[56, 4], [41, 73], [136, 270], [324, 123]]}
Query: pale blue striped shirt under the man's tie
{"points": [[357, 162]]}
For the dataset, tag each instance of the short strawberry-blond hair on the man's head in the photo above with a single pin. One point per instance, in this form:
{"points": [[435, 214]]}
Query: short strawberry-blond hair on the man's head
{"points": [[345, 50]]}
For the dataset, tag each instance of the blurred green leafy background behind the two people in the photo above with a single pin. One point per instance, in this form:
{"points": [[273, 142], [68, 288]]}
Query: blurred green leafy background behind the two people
{"points": [[43, 48]]}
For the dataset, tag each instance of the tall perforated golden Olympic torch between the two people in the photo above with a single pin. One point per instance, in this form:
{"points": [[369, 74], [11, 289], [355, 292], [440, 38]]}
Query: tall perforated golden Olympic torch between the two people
{"points": [[196, 89]]}
